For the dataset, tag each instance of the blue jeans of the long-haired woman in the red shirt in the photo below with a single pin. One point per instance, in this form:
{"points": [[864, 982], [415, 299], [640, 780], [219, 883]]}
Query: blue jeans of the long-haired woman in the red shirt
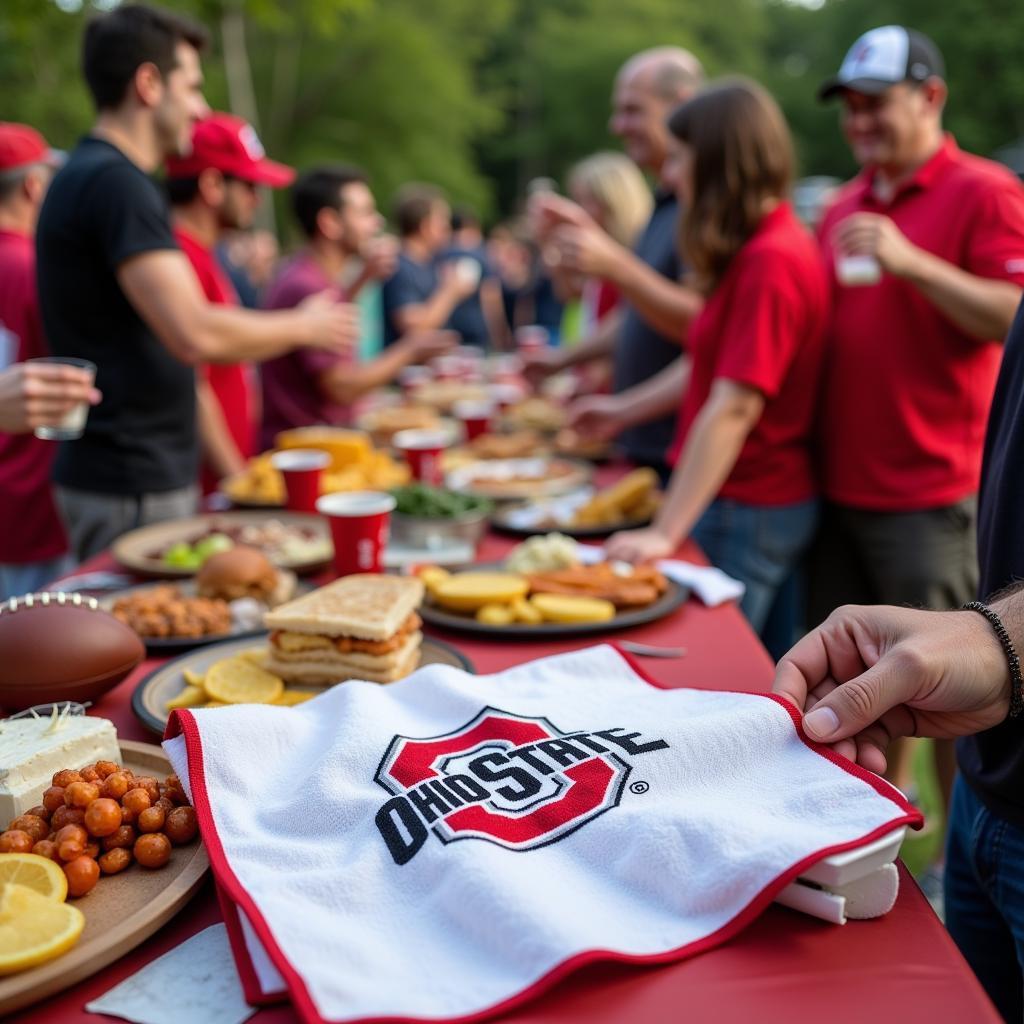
{"points": [[760, 545]]}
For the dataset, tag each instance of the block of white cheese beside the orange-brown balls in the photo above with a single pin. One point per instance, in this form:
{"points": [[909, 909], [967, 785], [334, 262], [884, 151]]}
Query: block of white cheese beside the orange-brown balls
{"points": [[32, 750]]}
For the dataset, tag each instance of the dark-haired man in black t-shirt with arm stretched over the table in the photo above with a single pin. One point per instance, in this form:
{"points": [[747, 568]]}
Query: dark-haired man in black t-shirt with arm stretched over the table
{"points": [[115, 289]]}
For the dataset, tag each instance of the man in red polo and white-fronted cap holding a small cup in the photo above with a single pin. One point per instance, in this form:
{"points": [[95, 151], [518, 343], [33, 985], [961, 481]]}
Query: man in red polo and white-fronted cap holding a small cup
{"points": [[927, 250]]}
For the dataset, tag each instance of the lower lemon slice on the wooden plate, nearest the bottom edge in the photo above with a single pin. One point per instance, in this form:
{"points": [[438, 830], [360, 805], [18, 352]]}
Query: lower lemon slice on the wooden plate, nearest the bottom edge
{"points": [[34, 928]]}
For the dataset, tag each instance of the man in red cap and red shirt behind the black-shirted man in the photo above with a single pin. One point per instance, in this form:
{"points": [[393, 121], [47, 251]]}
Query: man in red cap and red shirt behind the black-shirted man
{"points": [[215, 191]]}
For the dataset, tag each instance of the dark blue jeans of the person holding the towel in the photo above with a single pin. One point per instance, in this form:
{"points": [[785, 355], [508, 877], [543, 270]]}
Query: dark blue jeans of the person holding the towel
{"points": [[985, 897]]}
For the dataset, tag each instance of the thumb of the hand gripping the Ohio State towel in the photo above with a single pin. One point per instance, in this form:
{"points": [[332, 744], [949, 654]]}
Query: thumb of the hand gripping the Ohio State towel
{"points": [[854, 706]]}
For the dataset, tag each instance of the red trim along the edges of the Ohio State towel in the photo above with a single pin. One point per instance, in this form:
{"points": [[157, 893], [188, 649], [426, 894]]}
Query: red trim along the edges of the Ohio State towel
{"points": [[184, 722]]}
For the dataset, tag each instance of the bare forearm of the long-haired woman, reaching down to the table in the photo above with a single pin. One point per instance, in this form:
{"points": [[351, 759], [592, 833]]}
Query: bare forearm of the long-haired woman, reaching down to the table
{"points": [[712, 449]]}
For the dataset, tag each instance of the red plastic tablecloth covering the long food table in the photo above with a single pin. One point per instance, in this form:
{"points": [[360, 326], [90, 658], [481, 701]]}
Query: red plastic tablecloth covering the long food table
{"points": [[785, 968]]}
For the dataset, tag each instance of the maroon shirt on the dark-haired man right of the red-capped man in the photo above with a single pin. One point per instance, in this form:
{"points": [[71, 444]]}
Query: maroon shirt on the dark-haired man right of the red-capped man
{"points": [[292, 396]]}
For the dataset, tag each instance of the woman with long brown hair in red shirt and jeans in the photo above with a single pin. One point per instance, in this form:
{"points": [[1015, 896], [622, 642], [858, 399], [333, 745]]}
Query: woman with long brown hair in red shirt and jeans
{"points": [[743, 485]]}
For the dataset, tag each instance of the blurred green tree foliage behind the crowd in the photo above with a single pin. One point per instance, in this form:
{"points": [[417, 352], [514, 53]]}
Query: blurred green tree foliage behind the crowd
{"points": [[480, 98]]}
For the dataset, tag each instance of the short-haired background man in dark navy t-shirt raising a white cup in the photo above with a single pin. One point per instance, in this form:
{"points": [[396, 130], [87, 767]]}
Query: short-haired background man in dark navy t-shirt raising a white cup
{"points": [[421, 294]]}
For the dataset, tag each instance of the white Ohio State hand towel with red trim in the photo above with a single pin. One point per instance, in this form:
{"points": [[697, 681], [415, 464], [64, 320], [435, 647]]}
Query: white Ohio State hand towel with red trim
{"points": [[449, 845]]}
